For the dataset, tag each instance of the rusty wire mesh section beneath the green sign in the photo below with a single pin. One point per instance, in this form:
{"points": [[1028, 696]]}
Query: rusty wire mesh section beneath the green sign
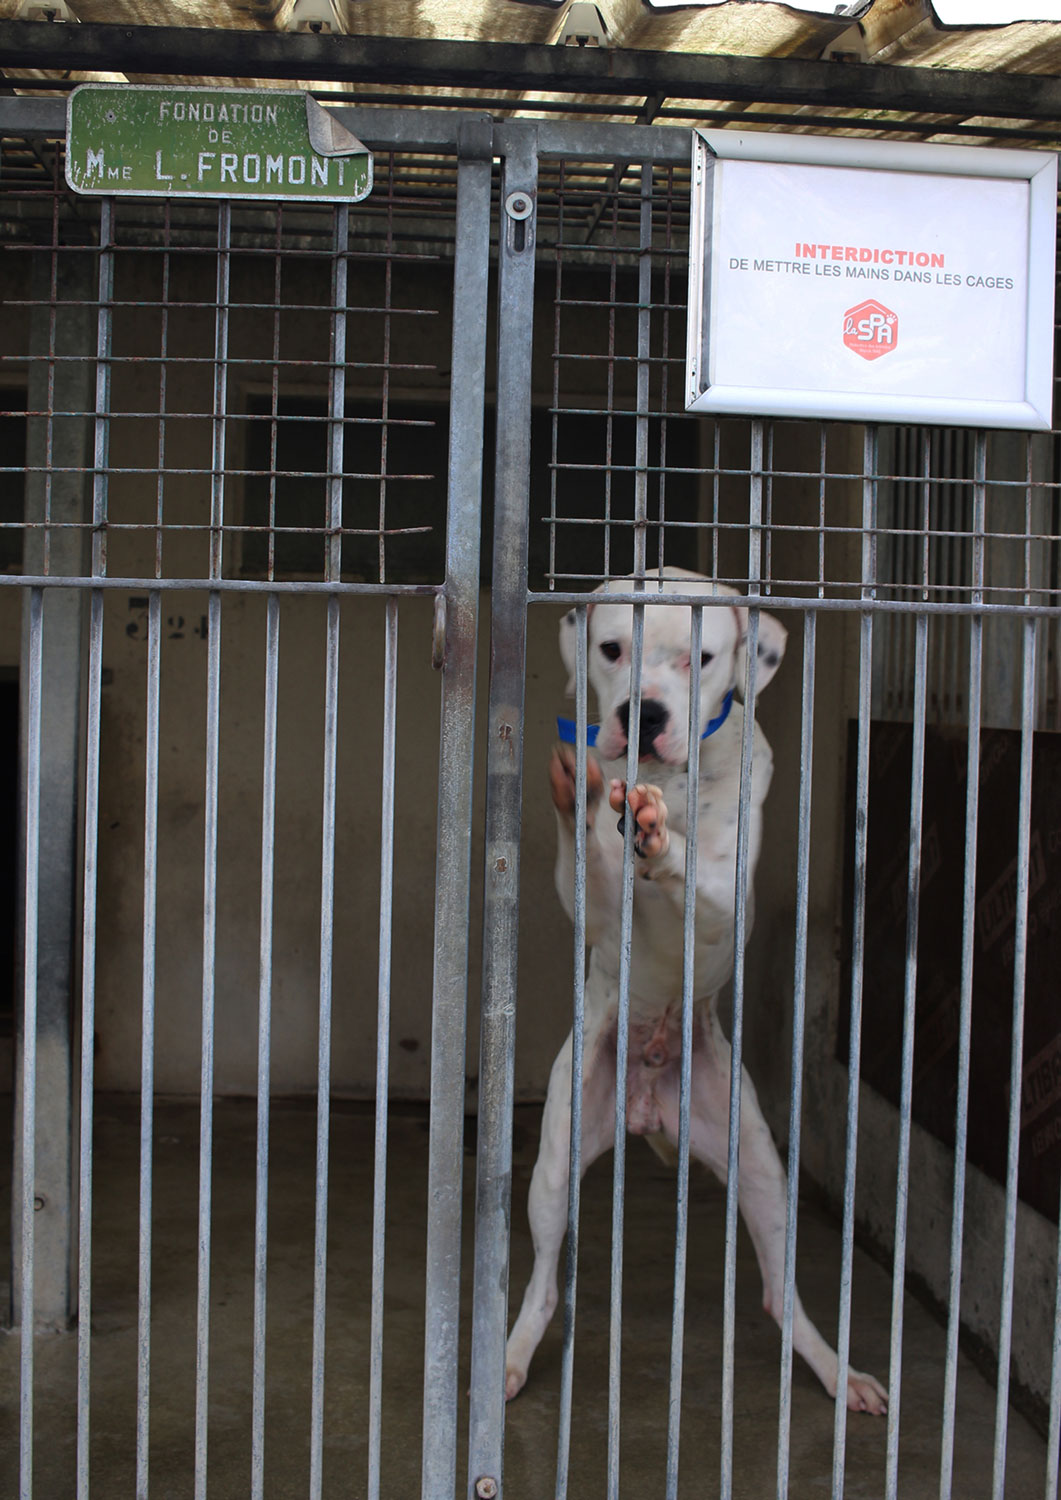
{"points": [[253, 394]]}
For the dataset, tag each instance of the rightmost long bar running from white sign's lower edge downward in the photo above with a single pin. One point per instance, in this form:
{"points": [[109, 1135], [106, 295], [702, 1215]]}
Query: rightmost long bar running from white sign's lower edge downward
{"points": [[966, 985]]}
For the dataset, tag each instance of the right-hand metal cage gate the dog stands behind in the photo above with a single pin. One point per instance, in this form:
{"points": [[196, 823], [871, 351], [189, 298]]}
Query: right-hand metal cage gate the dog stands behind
{"points": [[916, 566]]}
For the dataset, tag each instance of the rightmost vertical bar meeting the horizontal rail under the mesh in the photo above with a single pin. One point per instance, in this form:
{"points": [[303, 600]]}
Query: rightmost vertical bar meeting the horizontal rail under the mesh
{"points": [[1017, 1052]]}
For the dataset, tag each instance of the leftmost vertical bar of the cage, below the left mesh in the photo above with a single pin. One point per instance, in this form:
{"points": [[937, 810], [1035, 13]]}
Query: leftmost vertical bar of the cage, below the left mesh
{"points": [[31, 1037]]}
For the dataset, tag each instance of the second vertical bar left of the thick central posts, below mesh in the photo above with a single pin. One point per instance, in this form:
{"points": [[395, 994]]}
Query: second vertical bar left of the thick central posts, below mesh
{"points": [[325, 1046]]}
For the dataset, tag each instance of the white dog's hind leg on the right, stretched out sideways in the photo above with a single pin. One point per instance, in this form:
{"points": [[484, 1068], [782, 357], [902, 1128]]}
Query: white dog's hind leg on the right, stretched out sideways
{"points": [[763, 1199]]}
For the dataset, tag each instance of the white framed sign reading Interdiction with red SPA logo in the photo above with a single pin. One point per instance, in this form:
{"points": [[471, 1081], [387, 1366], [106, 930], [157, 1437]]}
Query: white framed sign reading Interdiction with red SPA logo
{"points": [[871, 281]]}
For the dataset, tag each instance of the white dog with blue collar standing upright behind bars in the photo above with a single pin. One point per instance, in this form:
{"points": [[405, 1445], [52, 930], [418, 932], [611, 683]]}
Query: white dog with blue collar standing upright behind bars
{"points": [[655, 1030]]}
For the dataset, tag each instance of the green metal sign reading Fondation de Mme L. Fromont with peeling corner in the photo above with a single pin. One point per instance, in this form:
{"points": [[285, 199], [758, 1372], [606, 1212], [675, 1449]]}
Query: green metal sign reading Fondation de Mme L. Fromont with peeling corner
{"points": [[211, 143]]}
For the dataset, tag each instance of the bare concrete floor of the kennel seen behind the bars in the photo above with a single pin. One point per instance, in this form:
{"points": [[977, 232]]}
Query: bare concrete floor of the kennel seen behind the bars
{"points": [[532, 1424]]}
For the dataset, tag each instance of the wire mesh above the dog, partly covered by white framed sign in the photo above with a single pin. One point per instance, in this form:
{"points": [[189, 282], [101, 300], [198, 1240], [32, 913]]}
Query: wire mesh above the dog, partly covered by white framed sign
{"points": [[694, 475]]}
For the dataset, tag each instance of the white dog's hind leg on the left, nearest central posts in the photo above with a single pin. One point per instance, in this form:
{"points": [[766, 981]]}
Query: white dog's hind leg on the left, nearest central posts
{"points": [[547, 1204]]}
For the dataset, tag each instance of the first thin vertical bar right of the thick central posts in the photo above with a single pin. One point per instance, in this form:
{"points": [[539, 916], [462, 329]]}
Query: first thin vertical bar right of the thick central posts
{"points": [[579, 1051]]}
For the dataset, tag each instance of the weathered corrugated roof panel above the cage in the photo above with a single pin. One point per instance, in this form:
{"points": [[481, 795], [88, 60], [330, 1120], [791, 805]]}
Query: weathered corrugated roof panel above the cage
{"points": [[997, 37]]}
